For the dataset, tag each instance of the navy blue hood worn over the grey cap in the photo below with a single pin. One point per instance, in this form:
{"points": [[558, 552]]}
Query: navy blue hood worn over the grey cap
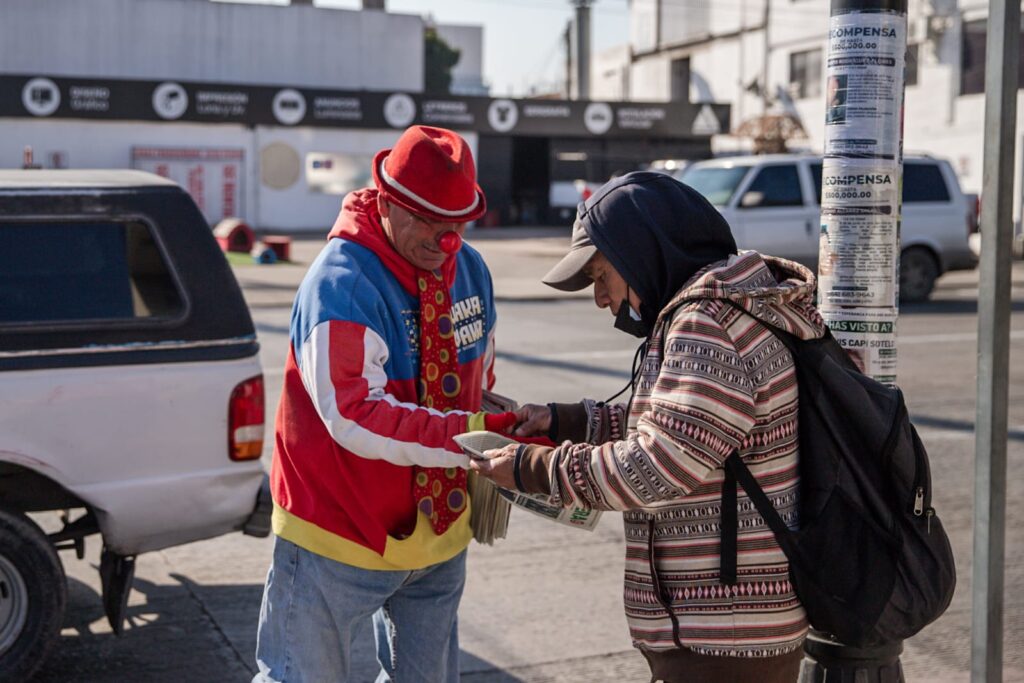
{"points": [[658, 233]]}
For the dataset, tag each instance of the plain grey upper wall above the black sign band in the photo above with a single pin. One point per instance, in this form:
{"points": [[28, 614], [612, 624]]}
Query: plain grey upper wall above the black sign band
{"points": [[209, 41]]}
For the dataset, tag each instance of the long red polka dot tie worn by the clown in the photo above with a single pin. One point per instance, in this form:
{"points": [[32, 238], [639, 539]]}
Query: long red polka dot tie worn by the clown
{"points": [[440, 493]]}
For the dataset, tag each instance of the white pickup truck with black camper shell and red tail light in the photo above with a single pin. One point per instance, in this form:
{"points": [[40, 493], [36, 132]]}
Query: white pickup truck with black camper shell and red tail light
{"points": [[132, 389]]}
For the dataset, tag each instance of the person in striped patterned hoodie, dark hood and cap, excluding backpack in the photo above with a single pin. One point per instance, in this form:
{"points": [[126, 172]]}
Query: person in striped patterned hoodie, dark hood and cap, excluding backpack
{"points": [[714, 380]]}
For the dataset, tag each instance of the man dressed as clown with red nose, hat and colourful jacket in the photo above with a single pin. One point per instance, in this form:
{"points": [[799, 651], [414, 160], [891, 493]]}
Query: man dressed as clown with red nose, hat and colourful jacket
{"points": [[392, 347]]}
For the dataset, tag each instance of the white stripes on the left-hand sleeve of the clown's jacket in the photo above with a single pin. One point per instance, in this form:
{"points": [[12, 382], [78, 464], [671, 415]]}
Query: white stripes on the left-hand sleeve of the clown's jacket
{"points": [[349, 434]]}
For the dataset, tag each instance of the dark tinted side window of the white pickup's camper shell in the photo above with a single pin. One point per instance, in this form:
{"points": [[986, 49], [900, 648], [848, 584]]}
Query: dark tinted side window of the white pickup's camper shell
{"points": [[71, 273]]}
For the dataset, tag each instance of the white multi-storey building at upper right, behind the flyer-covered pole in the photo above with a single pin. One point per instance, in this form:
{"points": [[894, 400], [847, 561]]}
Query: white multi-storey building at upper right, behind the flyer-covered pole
{"points": [[718, 52]]}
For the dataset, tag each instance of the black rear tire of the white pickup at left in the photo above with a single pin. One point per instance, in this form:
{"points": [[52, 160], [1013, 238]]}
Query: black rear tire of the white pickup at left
{"points": [[33, 593]]}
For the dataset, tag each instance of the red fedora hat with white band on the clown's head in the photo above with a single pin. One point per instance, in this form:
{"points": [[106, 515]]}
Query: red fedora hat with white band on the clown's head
{"points": [[431, 173]]}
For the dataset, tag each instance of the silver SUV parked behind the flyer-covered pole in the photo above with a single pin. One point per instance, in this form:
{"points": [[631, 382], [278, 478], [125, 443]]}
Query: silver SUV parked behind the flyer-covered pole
{"points": [[774, 204]]}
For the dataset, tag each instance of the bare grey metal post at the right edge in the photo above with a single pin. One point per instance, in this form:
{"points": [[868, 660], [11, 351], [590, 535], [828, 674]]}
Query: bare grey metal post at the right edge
{"points": [[1003, 47]]}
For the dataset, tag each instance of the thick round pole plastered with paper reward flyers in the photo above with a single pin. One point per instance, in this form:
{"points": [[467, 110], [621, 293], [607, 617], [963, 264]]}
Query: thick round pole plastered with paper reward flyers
{"points": [[860, 248]]}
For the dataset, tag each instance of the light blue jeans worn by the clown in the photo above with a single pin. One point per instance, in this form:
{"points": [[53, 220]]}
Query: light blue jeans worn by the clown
{"points": [[313, 605]]}
